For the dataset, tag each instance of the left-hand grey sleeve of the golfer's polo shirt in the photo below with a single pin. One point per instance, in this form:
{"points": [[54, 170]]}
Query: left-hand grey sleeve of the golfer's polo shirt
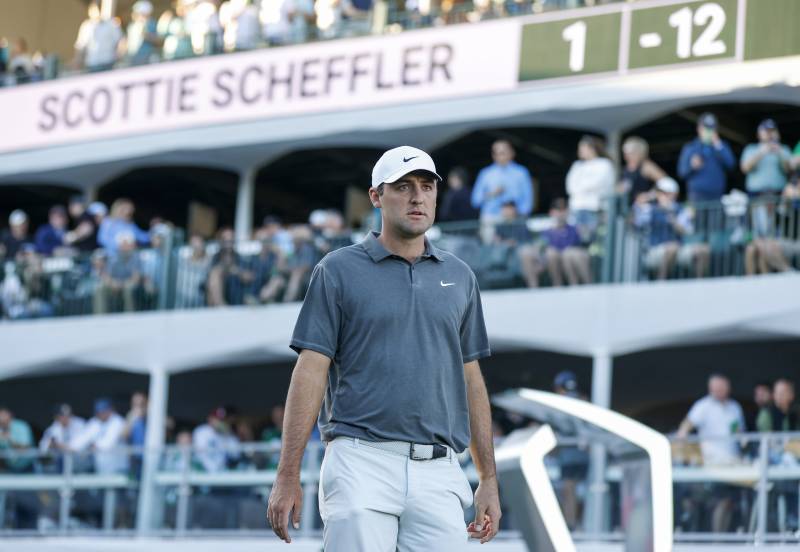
{"points": [[318, 324]]}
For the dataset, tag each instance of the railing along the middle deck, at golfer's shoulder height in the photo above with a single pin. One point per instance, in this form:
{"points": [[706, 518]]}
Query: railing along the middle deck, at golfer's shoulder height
{"points": [[734, 237]]}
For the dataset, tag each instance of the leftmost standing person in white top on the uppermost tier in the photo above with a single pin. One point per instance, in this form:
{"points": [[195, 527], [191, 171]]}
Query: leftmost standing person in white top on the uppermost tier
{"points": [[98, 41]]}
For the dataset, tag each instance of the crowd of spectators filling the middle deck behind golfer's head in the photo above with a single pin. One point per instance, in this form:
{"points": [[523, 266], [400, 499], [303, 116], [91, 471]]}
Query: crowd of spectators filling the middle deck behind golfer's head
{"points": [[88, 258]]}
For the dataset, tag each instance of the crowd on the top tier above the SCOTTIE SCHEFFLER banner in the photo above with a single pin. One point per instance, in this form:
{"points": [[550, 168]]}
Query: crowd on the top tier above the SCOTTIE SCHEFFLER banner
{"points": [[206, 27]]}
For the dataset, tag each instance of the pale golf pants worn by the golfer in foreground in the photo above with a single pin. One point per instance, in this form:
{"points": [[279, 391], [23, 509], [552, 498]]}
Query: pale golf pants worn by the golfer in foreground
{"points": [[372, 500]]}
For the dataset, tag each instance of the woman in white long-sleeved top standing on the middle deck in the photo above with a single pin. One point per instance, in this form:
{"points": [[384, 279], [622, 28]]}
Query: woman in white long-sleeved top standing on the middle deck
{"points": [[590, 181]]}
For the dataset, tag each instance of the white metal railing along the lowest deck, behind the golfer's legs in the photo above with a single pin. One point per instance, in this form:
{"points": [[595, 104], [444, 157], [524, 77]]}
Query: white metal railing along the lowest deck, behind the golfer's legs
{"points": [[740, 489]]}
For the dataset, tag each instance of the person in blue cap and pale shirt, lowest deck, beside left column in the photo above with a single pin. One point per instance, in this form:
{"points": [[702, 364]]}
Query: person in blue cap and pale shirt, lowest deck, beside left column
{"points": [[103, 435]]}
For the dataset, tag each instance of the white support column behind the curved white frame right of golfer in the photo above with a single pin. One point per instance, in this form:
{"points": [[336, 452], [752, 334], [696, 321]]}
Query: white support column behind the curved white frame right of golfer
{"points": [[597, 517]]}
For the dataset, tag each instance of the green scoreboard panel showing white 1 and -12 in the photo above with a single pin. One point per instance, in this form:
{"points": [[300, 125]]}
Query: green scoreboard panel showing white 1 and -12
{"points": [[634, 36]]}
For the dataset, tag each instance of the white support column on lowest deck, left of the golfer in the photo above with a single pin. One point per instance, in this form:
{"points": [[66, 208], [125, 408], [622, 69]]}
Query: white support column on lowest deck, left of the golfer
{"points": [[150, 503]]}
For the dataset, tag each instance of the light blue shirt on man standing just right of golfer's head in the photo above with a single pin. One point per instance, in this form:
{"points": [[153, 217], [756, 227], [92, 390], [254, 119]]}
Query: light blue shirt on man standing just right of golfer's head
{"points": [[513, 179]]}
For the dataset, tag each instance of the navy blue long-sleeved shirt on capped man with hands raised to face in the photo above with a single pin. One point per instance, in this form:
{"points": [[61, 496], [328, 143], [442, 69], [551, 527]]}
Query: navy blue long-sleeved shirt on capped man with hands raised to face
{"points": [[709, 181]]}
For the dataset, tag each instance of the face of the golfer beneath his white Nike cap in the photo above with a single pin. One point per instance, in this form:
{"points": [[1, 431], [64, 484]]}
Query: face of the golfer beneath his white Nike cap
{"points": [[408, 206]]}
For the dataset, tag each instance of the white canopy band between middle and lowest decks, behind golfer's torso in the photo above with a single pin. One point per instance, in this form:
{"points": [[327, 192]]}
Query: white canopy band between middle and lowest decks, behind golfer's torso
{"points": [[607, 319]]}
